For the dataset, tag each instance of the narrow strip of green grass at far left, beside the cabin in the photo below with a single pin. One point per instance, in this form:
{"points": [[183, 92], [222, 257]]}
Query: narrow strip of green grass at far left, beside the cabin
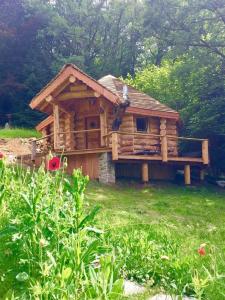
{"points": [[18, 133]]}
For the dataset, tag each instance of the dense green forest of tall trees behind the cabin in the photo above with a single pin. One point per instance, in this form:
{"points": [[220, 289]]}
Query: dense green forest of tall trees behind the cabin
{"points": [[173, 50]]}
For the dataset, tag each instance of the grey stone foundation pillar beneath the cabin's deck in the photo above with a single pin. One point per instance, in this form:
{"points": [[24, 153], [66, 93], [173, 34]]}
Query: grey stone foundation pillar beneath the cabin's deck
{"points": [[106, 168]]}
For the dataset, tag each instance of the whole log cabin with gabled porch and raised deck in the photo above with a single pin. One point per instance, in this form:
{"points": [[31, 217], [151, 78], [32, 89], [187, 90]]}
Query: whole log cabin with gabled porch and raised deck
{"points": [[112, 130]]}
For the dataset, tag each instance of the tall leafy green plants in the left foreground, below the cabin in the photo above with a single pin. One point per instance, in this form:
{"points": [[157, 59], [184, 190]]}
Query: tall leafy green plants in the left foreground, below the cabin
{"points": [[56, 250]]}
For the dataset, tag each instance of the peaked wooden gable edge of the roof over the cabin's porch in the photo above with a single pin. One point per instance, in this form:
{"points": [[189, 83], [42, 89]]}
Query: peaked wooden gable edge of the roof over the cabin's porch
{"points": [[63, 78]]}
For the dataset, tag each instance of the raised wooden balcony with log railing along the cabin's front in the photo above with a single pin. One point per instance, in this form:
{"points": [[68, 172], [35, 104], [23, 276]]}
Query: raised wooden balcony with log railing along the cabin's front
{"points": [[63, 143]]}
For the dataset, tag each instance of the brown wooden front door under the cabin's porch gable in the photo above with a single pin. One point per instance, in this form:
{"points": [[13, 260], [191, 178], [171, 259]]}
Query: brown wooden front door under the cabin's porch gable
{"points": [[92, 138]]}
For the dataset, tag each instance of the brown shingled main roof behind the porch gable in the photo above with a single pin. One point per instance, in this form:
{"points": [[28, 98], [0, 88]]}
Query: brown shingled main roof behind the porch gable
{"points": [[138, 100]]}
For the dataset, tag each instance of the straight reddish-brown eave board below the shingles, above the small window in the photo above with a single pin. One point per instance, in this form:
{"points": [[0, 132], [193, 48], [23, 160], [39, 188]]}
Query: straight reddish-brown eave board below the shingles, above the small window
{"points": [[153, 113]]}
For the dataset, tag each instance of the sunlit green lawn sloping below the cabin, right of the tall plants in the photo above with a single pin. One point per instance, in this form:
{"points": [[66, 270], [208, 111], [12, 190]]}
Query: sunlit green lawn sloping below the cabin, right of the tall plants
{"points": [[170, 222]]}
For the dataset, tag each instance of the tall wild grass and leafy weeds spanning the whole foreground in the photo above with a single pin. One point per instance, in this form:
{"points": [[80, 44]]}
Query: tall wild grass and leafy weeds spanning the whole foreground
{"points": [[52, 246]]}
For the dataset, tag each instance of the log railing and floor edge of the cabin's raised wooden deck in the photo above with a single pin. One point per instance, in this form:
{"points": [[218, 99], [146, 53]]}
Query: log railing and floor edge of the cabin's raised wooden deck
{"points": [[112, 144]]}
